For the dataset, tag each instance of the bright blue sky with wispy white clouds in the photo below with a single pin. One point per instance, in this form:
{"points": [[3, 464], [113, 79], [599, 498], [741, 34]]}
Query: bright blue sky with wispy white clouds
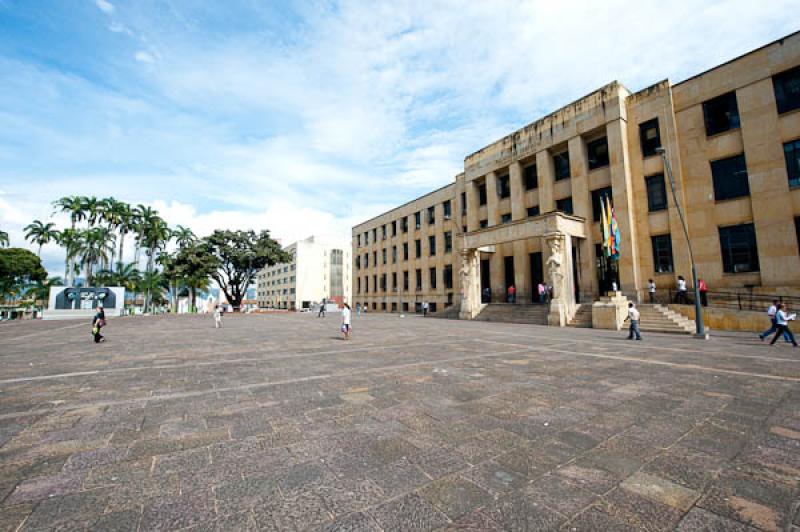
{"points": [[309, 117]]}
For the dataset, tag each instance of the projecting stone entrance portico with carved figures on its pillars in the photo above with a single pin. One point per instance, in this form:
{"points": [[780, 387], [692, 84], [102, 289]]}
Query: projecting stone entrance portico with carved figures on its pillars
{"points": [[556, 231]]}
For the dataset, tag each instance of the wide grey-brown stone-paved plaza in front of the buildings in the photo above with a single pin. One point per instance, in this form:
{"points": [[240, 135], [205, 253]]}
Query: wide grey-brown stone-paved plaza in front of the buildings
{"points": [[275, 423]]}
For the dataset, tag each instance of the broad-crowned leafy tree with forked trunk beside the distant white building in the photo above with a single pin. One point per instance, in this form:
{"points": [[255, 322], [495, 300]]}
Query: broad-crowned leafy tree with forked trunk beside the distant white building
{"points": [[241, 254]]}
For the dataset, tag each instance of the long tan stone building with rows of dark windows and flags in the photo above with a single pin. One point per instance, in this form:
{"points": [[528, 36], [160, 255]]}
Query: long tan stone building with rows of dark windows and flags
{"points": [[527, 207]]}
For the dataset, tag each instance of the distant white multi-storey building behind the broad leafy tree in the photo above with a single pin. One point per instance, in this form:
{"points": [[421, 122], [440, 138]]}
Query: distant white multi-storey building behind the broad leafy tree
{"points": [[319, 269]]}
